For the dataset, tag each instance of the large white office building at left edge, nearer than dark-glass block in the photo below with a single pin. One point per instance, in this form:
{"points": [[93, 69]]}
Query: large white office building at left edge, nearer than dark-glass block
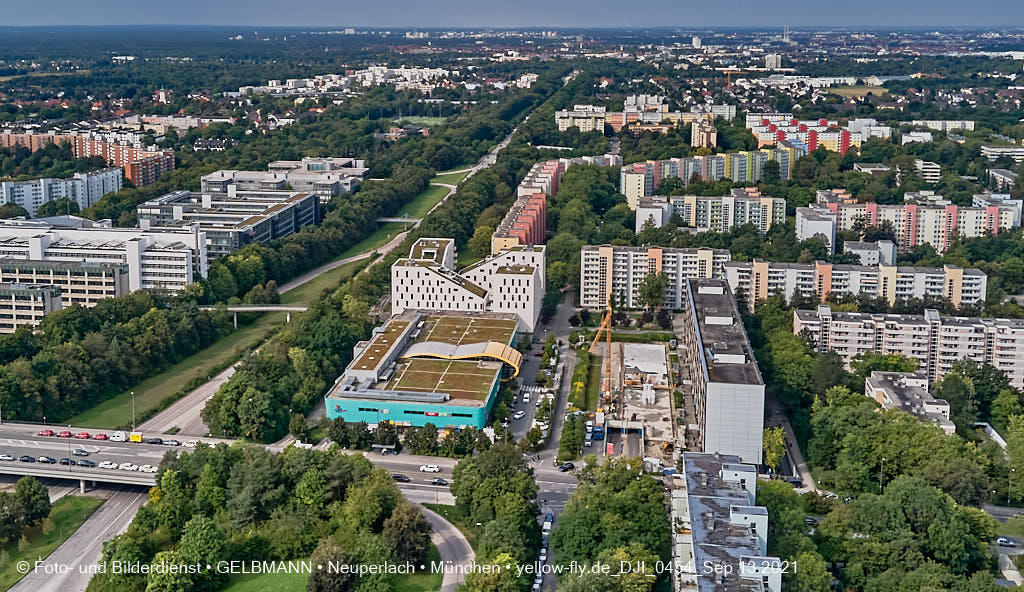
{"points": [[166, 260]]}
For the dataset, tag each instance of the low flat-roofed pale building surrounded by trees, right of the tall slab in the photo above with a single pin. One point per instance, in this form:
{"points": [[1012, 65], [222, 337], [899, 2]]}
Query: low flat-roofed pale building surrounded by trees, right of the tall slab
{"points": [[908, 392]]}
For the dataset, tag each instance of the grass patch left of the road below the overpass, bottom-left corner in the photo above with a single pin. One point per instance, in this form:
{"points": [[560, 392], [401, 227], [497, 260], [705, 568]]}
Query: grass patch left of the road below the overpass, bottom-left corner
{"points": [[66, 517]]}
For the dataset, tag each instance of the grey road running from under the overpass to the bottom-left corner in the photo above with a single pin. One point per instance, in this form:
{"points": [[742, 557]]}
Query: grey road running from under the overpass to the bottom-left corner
{"points": [[84, 547]]}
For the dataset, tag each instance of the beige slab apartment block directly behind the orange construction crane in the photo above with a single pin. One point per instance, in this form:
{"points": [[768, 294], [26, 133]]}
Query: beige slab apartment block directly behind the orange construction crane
{"points": [[614, 272]]}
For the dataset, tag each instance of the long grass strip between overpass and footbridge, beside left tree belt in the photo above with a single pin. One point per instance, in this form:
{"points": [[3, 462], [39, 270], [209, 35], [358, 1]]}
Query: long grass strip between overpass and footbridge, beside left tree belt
{"points": [[151, 393]]}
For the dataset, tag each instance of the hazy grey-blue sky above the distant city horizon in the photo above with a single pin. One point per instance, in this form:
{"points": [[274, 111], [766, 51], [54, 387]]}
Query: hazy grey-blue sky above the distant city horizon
{"points": [[573, 14]]}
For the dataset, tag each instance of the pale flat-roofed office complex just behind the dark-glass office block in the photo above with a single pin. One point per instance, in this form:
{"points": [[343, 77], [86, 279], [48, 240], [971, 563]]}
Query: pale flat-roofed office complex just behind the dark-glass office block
{"points": [[323, 177]]}
